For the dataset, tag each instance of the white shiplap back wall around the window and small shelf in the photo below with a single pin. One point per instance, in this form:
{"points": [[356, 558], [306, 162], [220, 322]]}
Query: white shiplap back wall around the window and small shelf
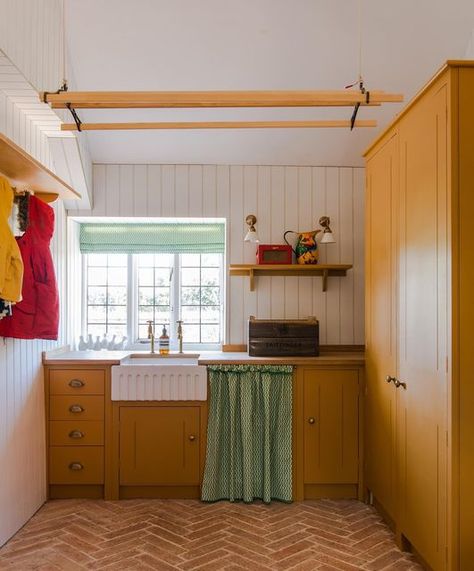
{"points": [[282, 198]]}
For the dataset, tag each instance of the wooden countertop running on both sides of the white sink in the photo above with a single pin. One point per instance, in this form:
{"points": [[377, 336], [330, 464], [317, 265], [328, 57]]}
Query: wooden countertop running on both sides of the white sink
{"points": [[206, 358]]}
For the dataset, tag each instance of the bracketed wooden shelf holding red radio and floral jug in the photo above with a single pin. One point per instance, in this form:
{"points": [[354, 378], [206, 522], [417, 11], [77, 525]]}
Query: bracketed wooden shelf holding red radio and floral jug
{"points": [[310, 270]]}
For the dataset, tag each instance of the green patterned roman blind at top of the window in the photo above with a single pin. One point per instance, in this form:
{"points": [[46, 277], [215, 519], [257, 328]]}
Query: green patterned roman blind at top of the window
{"points": [[153, 237]]}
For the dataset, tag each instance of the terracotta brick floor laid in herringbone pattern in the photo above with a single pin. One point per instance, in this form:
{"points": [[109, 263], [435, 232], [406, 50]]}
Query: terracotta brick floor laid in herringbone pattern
{"points": [[188, 535]]}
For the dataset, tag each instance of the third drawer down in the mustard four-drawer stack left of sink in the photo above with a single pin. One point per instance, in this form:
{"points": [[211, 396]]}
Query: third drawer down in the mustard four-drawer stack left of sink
{"points": [[76, 433]]}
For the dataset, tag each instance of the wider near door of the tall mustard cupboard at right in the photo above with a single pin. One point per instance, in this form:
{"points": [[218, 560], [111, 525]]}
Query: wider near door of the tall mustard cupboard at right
{"points": [[422, 405]]}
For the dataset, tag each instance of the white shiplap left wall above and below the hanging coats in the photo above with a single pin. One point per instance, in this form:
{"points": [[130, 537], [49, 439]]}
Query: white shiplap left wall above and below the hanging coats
{"points": [[29, 35]]}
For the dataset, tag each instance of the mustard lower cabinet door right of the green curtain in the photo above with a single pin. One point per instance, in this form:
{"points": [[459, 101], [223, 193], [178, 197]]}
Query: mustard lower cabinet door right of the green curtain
{"points": [[331, 426]]}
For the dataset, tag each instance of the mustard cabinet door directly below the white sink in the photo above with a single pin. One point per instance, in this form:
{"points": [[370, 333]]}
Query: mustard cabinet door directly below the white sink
{"points": [[159, 446]]}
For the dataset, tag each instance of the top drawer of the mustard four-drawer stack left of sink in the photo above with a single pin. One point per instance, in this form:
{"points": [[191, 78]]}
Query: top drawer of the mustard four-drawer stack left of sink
{"points": [[74, 382]]}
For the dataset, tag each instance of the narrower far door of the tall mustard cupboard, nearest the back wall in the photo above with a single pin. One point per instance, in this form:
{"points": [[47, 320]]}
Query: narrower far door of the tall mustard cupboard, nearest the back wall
{"points": [[382, 205]]}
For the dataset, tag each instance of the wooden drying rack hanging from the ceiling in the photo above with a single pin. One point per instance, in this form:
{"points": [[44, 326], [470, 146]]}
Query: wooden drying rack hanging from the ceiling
{"points": [[64, 99]]}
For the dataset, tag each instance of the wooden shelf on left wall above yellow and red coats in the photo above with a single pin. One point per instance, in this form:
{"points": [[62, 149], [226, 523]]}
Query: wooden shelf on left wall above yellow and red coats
{"points": [[26, 173]]}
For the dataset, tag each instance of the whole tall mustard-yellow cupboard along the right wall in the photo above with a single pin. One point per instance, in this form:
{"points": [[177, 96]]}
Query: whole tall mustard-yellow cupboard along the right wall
{"points": [[420, 311]]}
